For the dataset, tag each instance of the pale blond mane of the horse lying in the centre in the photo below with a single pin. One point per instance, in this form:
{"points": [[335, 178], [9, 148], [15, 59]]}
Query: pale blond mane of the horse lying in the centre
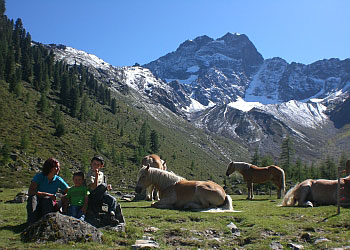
{"points": [[162, 178]]}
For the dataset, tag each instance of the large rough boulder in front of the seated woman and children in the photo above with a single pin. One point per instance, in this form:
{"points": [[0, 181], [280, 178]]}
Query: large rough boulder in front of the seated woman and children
{"points": [[62, 229]]}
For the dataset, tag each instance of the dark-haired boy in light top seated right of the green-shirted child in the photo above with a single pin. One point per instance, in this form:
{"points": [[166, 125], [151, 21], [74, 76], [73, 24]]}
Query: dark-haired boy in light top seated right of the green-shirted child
{"points": [[96, 182]]}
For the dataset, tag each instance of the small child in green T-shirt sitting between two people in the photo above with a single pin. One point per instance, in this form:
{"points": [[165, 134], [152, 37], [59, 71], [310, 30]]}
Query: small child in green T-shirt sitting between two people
{"points": [[77, 197]]}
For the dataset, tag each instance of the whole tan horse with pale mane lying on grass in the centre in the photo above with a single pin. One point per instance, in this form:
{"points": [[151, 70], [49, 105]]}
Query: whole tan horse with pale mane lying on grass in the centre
{"points": [[177, 192]]}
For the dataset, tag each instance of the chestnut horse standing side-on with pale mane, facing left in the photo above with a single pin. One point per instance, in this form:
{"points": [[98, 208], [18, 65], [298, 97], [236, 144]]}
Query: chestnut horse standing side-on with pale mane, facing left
{"points": [[253, 174]]}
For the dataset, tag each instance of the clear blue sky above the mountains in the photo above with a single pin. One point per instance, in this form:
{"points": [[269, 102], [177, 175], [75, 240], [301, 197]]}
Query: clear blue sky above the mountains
{"points": [[123, 32]]}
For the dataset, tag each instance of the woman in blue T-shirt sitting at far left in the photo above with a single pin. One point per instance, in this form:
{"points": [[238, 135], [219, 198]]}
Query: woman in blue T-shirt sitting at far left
{"points": [[42, 191]]}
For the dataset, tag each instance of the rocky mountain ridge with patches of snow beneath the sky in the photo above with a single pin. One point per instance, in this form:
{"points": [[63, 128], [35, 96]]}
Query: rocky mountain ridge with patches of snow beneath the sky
{"points": [[226, 87]]}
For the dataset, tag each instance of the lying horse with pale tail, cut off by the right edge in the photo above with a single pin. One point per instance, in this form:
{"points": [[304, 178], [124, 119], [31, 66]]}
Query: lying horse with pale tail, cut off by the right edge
{"points": [[311, 192]]}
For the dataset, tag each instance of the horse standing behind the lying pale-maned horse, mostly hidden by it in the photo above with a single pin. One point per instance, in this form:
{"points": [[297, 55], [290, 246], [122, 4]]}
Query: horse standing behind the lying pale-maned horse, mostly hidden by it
{"points": [[155, 162]]}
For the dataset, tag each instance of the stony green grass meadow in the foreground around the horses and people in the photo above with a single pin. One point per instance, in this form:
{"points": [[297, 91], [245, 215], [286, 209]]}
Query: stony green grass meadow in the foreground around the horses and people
{"points": [[260, 223]]}
